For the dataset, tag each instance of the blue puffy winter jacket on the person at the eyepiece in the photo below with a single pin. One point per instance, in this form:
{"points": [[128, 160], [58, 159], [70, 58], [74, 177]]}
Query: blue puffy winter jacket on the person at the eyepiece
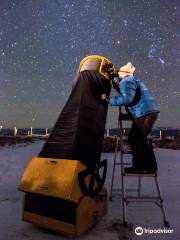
{"points": [[140, 106]]}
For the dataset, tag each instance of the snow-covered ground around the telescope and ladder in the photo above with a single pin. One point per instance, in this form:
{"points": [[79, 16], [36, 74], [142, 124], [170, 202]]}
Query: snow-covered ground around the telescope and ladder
{"points": [[13, 160]]}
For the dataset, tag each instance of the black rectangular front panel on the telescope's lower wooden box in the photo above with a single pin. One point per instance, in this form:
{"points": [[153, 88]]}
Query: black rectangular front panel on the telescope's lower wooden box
{"points": [[51, 207]]}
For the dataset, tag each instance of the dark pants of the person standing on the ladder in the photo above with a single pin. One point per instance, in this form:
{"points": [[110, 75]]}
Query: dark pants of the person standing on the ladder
{"points": [[142, 150]]}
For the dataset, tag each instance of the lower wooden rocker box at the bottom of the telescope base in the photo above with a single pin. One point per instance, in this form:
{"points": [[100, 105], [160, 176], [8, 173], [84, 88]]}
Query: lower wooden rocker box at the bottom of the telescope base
{"points": [[87, 213]]}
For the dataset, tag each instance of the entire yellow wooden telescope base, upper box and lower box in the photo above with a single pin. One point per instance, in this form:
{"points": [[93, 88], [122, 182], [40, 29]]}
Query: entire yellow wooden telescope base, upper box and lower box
{"points": [[54, 200]]}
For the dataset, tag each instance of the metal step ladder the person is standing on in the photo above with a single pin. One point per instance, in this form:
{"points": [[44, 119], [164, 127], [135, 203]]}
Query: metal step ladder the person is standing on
{"points": [[126, 199]]}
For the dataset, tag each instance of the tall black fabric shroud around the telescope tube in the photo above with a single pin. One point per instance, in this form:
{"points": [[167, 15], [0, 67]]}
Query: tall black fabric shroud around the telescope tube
{"points": [[79, 131]]}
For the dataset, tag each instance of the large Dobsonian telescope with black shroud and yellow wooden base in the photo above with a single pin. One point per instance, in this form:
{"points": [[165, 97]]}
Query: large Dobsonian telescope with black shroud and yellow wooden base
{"points": [[63, 188]]}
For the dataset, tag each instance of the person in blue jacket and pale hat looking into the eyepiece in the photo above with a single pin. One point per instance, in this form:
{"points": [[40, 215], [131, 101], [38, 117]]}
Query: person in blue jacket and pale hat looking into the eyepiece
{"points": [[141, 105]]}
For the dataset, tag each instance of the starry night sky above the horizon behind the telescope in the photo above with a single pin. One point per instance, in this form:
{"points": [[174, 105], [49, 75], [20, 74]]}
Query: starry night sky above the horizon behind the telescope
{"points": [[43, 41]]}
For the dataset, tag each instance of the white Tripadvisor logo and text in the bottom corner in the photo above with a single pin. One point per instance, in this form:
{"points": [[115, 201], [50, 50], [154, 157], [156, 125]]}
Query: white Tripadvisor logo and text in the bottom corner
{"points": [[139, 231]]}
